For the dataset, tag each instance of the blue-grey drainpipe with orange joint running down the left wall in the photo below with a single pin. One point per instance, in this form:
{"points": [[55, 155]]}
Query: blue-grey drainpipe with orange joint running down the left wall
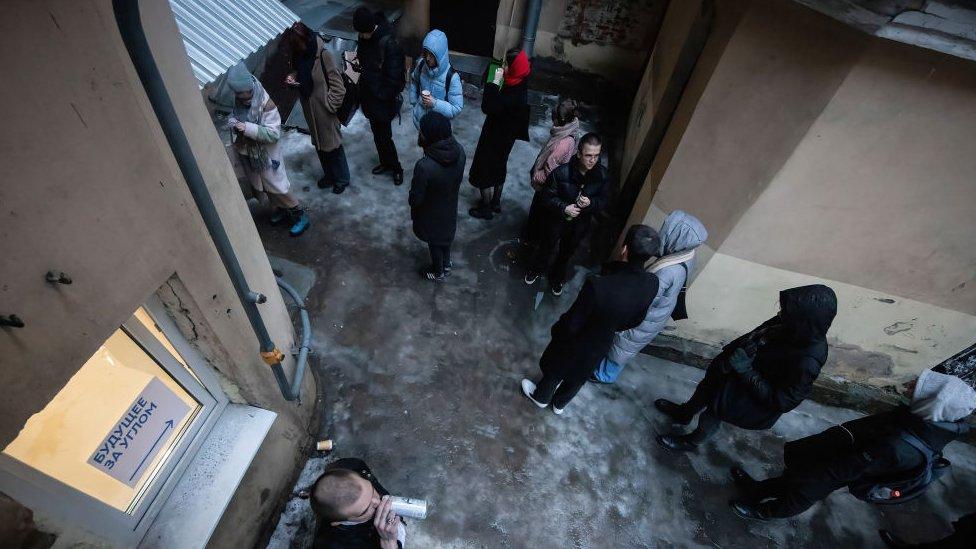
{"points": [[133, 35]]}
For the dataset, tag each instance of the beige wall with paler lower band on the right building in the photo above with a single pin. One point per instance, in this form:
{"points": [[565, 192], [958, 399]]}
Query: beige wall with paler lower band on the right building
{"points": [[814, 153]]}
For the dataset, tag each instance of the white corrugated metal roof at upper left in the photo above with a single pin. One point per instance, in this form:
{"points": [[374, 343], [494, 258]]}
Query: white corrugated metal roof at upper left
{"points": [[219, 33]]}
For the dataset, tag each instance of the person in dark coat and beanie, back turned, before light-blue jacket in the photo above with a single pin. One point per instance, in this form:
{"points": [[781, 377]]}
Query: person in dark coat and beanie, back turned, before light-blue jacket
{"points": [[434, 192]]}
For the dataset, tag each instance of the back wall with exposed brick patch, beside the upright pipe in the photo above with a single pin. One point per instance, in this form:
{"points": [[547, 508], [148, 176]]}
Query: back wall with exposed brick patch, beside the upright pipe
{"points": [[610, 38]]}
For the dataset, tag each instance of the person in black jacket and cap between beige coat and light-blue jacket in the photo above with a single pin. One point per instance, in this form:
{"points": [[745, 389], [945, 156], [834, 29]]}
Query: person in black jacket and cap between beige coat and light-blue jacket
{"points": [[382, 68]]}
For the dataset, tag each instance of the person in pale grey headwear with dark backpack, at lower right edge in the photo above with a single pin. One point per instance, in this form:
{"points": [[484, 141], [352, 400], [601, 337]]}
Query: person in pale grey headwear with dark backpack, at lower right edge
{"points": [[872, 447]]}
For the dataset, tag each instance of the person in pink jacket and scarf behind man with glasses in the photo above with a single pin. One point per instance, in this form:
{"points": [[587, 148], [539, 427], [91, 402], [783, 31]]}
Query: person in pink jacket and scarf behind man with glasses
{"points": [[563, 138]]}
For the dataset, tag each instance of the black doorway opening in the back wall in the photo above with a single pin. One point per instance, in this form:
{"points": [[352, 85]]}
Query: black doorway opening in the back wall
{"points": [[469, 24]]}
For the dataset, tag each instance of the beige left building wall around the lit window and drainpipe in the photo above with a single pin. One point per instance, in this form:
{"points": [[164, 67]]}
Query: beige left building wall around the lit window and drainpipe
{"points": [[90, 188]]}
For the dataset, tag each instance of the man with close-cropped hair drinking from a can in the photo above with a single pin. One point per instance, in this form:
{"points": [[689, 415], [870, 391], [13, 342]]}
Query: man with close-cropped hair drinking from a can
{"points": [[353, 509]]}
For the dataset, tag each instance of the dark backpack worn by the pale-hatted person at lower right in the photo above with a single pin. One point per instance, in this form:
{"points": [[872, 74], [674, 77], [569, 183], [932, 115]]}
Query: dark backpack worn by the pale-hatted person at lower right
{"points": [[905, 486]]}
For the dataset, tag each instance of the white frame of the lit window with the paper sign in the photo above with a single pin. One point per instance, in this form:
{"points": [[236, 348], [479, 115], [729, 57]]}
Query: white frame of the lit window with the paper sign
{"points": [[39, 491]]}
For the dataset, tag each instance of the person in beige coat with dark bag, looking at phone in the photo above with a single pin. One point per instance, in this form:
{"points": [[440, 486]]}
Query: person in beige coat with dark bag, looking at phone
{"points": [[321, 91]]}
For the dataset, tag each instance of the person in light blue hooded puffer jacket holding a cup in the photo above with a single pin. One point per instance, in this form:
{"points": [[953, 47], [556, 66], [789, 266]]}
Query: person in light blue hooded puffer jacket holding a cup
{"points": [[431, 74]]}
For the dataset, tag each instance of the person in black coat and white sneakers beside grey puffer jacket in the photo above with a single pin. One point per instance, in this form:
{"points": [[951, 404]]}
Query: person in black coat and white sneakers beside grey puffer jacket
{"points": [[613, 301]]}
